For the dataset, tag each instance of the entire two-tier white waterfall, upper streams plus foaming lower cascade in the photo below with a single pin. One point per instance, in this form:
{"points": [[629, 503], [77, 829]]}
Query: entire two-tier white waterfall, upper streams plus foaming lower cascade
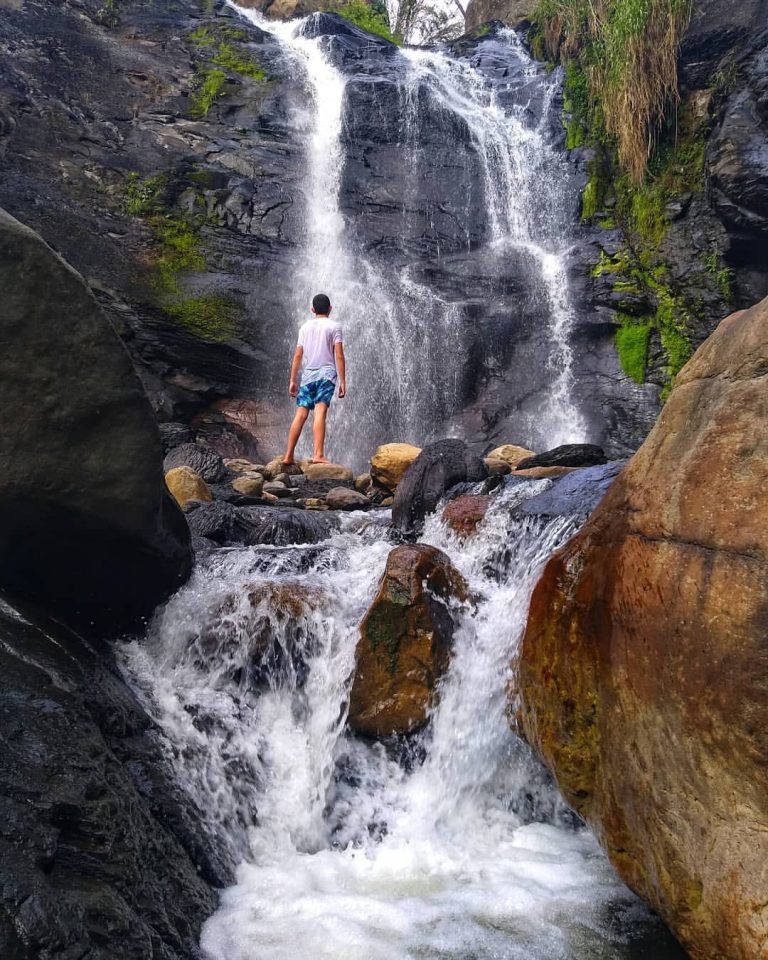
{"points": [[456, 844]]}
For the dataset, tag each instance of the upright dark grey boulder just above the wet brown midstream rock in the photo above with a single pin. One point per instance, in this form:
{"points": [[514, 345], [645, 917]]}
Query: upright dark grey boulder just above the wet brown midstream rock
{"points": [[437, 468]]}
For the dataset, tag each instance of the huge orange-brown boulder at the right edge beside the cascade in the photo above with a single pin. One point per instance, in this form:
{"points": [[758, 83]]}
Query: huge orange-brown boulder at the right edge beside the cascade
{"points": [[644, 667]]}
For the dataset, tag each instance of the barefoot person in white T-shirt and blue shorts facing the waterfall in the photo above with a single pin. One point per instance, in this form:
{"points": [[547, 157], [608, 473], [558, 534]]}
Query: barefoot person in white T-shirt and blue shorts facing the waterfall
{"points": [[320, 357]]}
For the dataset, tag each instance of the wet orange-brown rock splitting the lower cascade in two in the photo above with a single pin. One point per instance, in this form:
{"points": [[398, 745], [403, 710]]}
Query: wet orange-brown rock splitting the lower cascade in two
{"points": [[405, 642]]}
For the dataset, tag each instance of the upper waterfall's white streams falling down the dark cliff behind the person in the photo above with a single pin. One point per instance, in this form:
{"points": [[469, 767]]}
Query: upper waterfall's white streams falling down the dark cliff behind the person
{"points": [[407, 343]]}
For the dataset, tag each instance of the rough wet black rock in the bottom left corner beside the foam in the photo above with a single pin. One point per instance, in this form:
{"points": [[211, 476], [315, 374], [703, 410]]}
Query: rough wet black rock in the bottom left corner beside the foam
{"points": [[101, 855]]}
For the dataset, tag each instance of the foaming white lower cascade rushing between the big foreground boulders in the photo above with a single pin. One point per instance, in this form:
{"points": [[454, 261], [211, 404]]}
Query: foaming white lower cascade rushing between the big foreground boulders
{"points": [[449, 843]]}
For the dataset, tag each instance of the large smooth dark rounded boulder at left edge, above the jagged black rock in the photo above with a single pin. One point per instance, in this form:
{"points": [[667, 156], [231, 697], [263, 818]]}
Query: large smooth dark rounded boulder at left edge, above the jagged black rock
{"points": [[87, 527]]}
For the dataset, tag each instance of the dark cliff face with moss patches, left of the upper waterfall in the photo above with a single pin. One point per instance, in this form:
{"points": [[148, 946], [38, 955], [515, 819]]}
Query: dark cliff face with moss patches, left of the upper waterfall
{"points": [[124, 85]]}
